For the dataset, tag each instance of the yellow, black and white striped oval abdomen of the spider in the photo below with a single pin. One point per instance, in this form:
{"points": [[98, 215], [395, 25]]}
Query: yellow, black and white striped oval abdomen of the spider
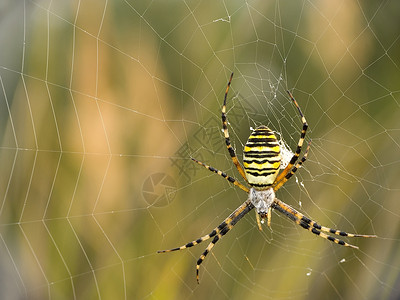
{"points": [[261, 158]]}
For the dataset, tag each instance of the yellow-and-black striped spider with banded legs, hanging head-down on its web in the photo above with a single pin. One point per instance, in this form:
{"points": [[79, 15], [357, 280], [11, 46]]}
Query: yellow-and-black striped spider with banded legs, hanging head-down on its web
{"points": [[261, 160]]}
